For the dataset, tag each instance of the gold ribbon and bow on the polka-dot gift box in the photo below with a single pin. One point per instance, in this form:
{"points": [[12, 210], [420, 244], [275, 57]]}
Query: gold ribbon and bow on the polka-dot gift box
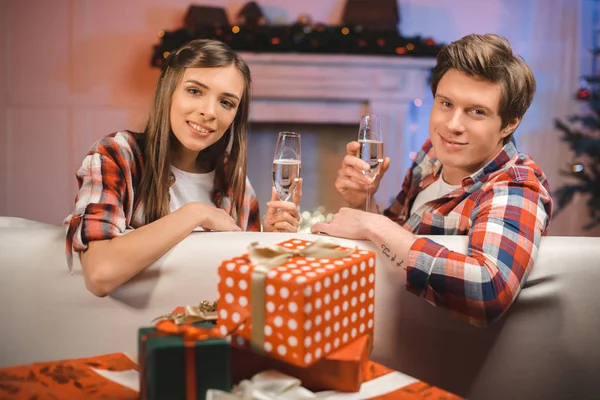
{"points": [[265, 258]]}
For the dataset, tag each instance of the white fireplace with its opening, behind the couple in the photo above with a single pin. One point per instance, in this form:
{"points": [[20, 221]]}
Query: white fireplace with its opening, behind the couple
{"points": [[322, 97]]}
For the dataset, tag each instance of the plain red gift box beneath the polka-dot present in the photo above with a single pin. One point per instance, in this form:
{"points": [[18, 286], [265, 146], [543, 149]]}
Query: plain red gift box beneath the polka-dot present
{"points": [[342, 370]]}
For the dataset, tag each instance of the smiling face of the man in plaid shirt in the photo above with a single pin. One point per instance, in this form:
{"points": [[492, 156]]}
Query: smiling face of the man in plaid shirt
{"points": [[464, 125]]}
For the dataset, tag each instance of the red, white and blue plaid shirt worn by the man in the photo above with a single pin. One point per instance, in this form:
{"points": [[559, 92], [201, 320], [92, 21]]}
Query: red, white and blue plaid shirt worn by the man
{"points": [[504, 208]]}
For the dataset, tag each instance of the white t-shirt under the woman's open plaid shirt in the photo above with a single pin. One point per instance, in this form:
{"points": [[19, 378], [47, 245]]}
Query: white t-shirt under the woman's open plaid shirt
{"points": [[189, 187]]}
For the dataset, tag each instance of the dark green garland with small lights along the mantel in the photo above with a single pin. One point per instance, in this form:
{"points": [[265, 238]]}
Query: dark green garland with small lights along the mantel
{"points": [[299, 38]]}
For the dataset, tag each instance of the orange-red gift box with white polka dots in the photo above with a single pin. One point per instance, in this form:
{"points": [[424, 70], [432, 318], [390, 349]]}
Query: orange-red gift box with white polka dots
{"points": [[312, 306]]}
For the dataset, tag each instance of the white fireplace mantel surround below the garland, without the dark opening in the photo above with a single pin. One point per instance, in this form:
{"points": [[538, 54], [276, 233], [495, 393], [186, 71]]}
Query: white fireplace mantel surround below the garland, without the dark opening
{"points": [[337, 89]]}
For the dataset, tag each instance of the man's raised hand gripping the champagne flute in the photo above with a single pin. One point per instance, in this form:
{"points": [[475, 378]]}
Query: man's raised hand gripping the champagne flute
{"points": [[351, 183]]}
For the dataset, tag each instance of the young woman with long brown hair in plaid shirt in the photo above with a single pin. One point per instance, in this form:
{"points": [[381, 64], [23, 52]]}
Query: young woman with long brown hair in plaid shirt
{"points": [[186, 171]]}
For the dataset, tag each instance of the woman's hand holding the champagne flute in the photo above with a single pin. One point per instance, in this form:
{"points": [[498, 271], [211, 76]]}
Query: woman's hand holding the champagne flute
{"points": [[283, 216]]}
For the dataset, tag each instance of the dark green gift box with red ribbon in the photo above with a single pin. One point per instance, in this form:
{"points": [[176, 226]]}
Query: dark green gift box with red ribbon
{"points": [[178, 365]]}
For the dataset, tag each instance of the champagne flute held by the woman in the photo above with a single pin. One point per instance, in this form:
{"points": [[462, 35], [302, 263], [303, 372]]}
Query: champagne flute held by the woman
{"points": [[286, 164]]}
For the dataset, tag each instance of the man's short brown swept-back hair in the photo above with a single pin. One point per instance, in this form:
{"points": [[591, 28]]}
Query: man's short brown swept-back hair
{"points": [[490, 57]]}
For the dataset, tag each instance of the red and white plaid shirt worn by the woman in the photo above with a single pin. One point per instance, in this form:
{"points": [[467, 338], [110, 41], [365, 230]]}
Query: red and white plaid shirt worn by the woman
{"points": [[104, 206]]}
